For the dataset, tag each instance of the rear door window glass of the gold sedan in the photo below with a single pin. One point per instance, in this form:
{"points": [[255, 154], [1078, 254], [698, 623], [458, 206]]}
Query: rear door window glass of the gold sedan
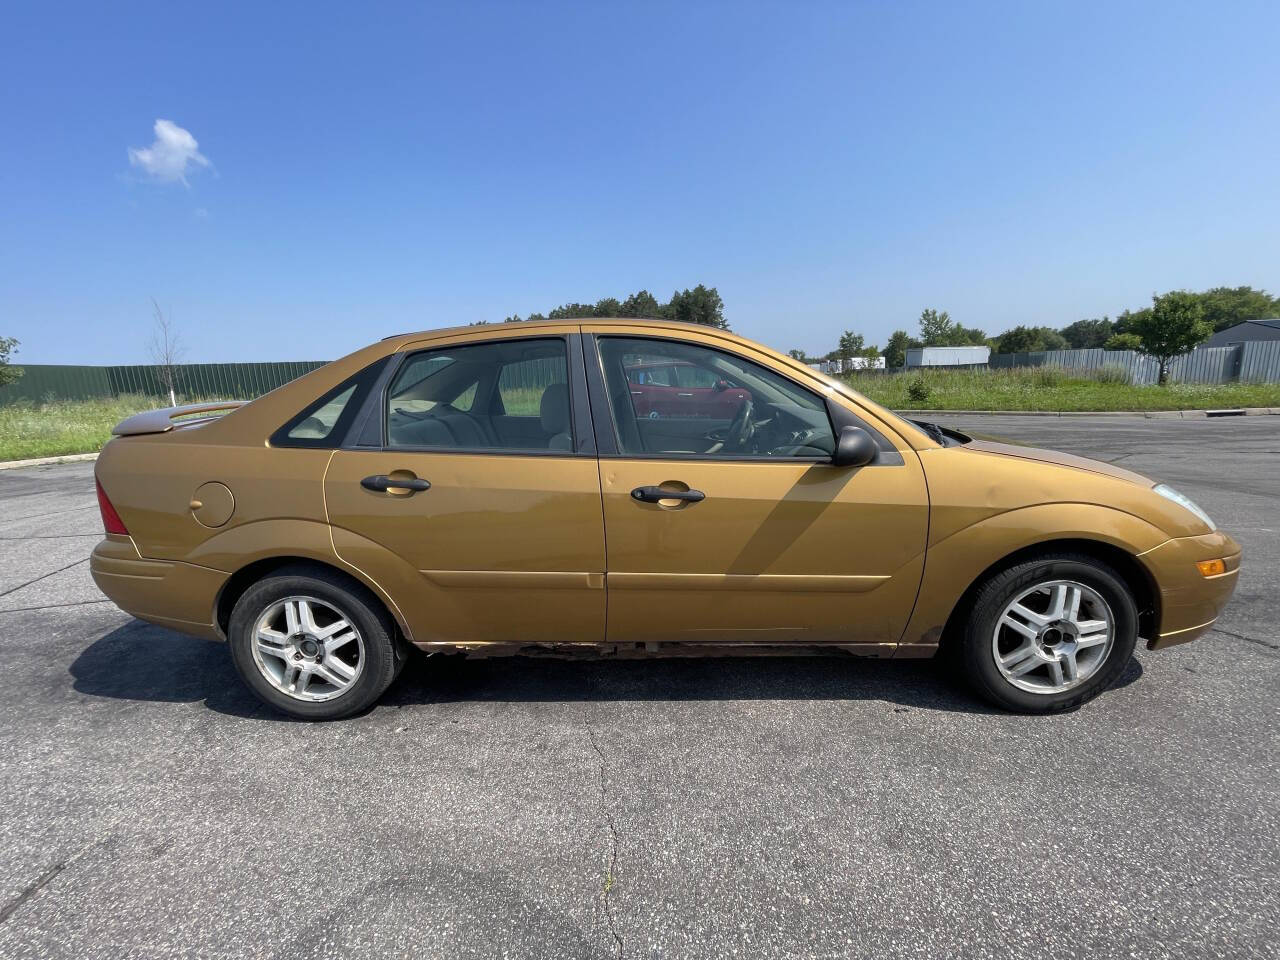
{"points": [[501, 396]]}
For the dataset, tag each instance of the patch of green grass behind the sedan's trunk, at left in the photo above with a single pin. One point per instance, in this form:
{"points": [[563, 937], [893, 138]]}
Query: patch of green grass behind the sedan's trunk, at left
{"points": [[65, 427]]}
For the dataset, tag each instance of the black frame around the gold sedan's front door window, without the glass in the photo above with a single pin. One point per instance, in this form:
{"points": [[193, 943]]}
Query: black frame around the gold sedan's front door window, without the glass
{"points": [[607, 428]]}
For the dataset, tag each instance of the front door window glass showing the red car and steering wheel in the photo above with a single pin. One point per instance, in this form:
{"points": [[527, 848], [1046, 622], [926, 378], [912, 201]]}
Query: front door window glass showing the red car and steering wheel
{"points": [[675, 399]]}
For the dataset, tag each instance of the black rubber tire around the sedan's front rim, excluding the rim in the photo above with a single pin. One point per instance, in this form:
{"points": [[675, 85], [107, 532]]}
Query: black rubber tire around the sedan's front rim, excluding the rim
{"points": [[991, 601]]}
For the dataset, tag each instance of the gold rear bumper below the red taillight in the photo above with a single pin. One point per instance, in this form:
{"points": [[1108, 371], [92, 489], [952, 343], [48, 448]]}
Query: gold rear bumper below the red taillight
{"points": [[171, 593]]}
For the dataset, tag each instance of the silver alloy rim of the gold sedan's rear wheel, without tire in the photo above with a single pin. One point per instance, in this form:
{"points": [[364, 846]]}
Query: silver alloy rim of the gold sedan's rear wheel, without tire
{"points": [[308, 650]]}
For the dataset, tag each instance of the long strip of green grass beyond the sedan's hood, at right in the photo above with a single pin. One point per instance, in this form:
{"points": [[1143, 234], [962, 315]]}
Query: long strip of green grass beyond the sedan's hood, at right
{"points": [[1052, 390]]}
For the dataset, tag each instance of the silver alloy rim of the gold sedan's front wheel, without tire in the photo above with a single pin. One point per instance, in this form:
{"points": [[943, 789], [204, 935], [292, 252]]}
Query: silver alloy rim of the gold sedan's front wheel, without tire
{"points": [[1053, 637]]}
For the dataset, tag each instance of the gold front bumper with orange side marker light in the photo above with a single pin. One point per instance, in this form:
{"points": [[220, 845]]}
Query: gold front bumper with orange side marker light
{"points": [[1190, 604]]}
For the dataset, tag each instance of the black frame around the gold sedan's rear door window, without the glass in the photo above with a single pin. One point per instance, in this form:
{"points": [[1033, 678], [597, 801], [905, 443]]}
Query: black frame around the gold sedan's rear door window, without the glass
{"points": [[580, 418]]}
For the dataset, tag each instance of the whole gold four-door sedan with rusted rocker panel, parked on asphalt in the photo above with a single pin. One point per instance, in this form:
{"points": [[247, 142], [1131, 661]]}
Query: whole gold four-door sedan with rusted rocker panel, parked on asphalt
{"points": [[632, 487]]}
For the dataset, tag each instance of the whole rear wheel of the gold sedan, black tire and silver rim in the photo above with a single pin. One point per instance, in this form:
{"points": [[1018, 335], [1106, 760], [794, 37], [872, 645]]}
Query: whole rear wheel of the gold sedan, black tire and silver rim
{"points": [[368, 657]]}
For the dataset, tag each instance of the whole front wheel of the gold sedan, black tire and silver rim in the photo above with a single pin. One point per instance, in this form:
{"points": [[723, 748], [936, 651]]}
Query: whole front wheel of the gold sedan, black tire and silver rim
{"points": [[1025, 679]]}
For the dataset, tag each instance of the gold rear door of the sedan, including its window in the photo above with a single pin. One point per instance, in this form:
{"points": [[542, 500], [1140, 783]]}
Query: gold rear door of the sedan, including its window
{"points": [[474, 499]]}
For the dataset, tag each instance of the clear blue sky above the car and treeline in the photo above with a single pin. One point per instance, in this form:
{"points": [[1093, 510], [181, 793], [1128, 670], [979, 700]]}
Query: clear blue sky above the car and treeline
{"points": [[376, 168]]}
